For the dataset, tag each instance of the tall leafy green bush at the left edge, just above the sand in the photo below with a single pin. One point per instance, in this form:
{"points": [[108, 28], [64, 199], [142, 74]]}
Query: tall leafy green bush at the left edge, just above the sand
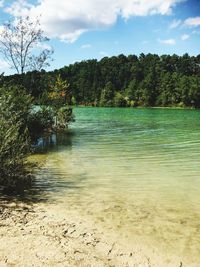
{"points": [[14, 137]]}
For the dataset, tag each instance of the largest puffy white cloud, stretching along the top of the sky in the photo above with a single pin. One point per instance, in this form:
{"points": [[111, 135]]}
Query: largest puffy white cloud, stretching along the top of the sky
{"points": [[67, 20]]}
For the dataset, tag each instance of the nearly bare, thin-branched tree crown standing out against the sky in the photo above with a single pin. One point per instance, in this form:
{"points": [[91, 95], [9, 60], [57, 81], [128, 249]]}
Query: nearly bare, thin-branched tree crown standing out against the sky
{"points": [[21, 43]]}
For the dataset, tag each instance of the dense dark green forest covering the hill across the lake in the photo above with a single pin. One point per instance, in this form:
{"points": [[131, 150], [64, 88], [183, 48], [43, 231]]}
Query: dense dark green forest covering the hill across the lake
{"points": [[123, 81]]}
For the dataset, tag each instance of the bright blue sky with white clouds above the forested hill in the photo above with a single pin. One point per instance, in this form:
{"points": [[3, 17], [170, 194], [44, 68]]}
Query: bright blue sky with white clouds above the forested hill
{"points": [[87, 29]]}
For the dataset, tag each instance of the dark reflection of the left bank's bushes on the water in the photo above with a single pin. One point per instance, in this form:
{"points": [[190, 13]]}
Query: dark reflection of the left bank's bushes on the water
{"points": [[36, 190]]}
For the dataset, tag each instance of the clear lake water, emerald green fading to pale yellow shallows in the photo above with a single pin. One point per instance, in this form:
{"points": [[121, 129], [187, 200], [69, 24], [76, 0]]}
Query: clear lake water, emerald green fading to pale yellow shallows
{"points": [[134, 171]]}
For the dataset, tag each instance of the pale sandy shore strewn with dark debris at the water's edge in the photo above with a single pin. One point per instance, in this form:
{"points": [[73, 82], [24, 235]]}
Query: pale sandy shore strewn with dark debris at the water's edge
{"points": [[34, 235]]}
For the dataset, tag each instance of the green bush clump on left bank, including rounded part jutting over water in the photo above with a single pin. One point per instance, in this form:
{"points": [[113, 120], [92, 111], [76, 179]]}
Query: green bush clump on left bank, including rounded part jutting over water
{"points": [[21, 124]]}
